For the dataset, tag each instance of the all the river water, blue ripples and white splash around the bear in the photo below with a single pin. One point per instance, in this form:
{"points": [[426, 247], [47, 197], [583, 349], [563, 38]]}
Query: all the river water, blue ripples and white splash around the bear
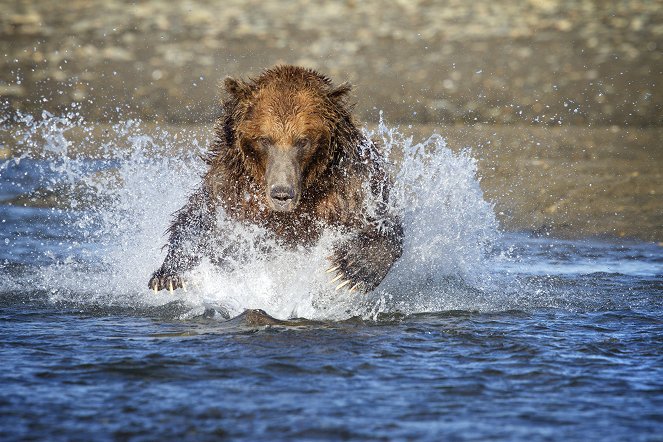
{"points": [[474, 334]]}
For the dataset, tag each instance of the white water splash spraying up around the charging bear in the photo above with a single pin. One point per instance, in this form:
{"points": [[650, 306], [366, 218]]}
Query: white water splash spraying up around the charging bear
{"points": [[123, 198]]}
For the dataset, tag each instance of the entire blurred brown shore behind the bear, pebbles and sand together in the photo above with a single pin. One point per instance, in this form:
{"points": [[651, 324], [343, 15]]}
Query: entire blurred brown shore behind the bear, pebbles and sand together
{"points": [[560, 100]]}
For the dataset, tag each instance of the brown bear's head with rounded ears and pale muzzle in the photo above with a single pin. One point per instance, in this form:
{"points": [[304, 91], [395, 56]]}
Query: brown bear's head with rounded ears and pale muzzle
{"points": [[290, 126]]}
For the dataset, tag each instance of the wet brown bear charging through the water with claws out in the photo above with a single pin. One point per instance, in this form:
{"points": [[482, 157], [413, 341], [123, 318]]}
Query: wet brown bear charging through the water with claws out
{"points": [[287, 156]]}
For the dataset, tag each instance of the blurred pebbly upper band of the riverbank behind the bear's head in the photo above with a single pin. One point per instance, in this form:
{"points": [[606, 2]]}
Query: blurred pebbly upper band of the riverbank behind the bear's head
{"points": [[538, 61]]}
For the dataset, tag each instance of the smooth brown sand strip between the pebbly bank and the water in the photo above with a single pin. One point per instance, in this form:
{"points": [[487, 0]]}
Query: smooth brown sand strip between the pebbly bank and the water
{"points": [[536, 177]]}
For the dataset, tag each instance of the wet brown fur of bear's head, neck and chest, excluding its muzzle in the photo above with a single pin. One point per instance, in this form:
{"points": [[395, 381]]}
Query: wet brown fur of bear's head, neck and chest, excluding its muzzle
{"points": [[285, 103]]}
